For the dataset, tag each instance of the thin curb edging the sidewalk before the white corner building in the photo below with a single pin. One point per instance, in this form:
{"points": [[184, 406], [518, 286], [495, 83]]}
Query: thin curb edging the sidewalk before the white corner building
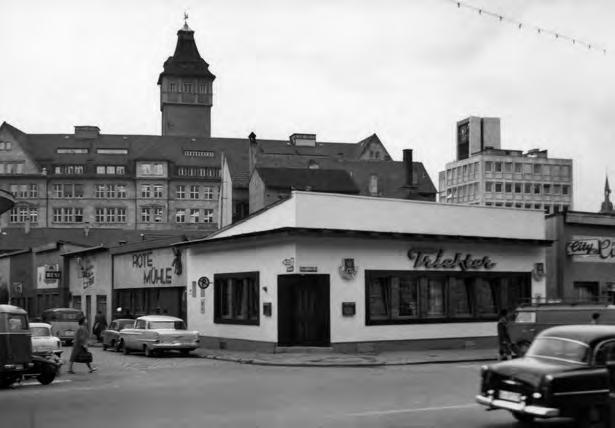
{"points": [[256, 362]]}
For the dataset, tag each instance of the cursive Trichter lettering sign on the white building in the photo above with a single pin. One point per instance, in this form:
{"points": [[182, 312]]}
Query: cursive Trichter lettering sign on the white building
{"points": [[435, 259]]}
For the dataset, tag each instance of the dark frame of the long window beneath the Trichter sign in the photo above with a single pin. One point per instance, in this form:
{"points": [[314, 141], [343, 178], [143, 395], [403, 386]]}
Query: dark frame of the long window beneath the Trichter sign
{"points": [[501, 296]]}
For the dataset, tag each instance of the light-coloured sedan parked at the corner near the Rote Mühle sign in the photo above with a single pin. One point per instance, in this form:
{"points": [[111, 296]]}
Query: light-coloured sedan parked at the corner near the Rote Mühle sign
{"points": [[153, 334]]}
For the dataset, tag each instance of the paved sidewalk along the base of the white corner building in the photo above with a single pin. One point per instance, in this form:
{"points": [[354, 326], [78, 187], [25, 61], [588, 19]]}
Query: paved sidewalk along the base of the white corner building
{"points": [[332, 359]]}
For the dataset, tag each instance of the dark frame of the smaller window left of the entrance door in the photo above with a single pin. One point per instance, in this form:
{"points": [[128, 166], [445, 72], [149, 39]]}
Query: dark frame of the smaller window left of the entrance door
{"points": [[219, 279]]}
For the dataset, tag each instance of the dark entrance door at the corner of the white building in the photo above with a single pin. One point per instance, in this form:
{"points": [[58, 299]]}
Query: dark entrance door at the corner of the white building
{"points": [[303, 310]]}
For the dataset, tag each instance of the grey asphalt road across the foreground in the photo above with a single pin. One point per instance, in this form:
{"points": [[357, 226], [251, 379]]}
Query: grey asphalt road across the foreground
{"points": [[134, 391]]}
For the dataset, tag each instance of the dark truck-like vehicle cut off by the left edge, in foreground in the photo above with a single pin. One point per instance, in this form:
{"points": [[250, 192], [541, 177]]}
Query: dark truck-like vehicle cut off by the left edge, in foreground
{"points": [[16, 358]]}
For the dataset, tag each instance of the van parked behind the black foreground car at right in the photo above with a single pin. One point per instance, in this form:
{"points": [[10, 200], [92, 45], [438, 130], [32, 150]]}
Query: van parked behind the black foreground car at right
{"points": [[530, 320]]}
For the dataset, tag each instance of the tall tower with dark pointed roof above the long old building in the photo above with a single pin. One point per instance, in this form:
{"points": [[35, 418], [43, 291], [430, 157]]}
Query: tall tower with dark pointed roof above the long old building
{"points": [[186, 90]]}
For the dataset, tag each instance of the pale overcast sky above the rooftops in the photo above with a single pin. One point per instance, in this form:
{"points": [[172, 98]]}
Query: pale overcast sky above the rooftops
{"points": [[407, 70]]}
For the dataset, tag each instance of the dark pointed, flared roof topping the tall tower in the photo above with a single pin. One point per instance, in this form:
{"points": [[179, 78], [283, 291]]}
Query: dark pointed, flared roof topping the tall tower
{"points": [[186, 61]]}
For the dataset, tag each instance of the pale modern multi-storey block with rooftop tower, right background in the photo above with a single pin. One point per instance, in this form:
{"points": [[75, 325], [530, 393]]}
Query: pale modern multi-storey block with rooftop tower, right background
{"points": [[484, 174]]}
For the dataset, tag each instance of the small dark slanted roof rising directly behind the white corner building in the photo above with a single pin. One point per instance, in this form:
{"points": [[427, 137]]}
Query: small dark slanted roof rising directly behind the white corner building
{"points": [[318, 180]]}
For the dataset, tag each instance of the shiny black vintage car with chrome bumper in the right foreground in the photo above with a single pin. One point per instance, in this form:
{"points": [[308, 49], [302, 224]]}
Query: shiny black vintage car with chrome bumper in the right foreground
{"points": [[565, 373]]}
